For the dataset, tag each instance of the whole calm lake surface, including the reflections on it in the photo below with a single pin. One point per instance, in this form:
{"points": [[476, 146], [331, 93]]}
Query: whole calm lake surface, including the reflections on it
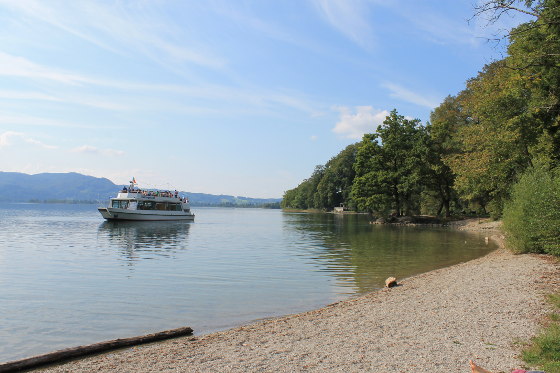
{"points": [[69, 278]]}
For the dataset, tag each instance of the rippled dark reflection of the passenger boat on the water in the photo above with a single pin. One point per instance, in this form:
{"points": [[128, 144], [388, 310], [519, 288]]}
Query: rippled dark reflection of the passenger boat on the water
{"points": [[139, 240]]}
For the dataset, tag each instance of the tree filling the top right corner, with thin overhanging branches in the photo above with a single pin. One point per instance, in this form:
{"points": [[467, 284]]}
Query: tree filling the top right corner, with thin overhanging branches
{"points": [[534, 57]]}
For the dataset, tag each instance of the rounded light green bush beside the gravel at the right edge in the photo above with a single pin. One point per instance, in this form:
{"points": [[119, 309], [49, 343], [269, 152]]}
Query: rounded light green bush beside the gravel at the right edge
{"points": [[532, 216]]}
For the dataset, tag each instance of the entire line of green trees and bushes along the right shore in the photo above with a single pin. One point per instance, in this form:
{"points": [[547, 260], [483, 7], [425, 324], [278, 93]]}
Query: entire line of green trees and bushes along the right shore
{"points": [[493, 148]]}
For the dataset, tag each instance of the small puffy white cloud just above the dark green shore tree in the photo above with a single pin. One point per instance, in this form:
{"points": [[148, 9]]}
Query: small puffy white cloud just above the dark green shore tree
{"points": [[354, 124]]}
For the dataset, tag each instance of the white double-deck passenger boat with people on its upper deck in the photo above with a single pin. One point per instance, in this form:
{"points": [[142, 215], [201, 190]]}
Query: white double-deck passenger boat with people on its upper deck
{"points": [[133, 203]]}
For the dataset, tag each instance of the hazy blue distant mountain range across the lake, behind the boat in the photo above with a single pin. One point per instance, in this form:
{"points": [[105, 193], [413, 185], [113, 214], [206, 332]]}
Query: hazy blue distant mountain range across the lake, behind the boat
{"points": [[75, 188]]}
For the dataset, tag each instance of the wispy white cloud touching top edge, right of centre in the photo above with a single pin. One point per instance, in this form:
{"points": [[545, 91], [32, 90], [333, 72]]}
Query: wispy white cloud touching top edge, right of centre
{"points": [[350, 18]]}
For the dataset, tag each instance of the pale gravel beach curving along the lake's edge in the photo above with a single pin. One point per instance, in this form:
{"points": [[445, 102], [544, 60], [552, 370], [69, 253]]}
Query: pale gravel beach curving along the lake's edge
{"points": [[434, 322]]}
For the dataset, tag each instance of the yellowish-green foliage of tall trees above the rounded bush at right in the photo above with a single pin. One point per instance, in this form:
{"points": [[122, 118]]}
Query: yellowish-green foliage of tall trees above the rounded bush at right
{"points": [[508, 117]]}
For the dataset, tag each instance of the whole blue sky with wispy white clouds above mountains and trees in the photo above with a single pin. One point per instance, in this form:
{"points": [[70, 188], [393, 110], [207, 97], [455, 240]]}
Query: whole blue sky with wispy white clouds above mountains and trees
{"points": [[233, 97]]}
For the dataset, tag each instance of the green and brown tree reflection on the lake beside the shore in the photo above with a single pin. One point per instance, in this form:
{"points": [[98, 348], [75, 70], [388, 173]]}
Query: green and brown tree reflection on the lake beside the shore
{"points": [[360, 255]]}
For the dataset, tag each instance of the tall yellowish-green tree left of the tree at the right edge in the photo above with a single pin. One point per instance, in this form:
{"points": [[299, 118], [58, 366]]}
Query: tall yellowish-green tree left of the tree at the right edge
{"points": [[494, 142]]}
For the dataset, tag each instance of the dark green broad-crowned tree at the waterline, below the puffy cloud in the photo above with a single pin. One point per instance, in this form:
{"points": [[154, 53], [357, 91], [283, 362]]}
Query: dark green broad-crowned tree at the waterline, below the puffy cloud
{"points": [[389, 166]]}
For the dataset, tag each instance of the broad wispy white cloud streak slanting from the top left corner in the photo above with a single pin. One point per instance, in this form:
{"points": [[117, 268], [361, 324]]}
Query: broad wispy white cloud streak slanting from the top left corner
{"points": [[121, 28]]}
